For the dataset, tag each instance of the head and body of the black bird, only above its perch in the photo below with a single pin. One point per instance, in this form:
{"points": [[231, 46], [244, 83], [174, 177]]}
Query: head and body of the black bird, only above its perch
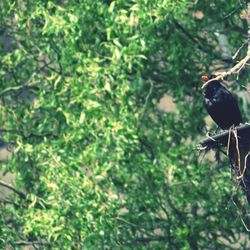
{"points": [[221, 104]]}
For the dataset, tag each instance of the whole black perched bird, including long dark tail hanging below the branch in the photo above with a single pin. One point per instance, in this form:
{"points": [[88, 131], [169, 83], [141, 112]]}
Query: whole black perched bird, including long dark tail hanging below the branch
{"points": [[223, 108]]}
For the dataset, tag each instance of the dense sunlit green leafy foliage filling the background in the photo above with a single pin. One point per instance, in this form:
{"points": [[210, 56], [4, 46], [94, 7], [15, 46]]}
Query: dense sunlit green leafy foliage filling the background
{"points": [[99, 165]]}
